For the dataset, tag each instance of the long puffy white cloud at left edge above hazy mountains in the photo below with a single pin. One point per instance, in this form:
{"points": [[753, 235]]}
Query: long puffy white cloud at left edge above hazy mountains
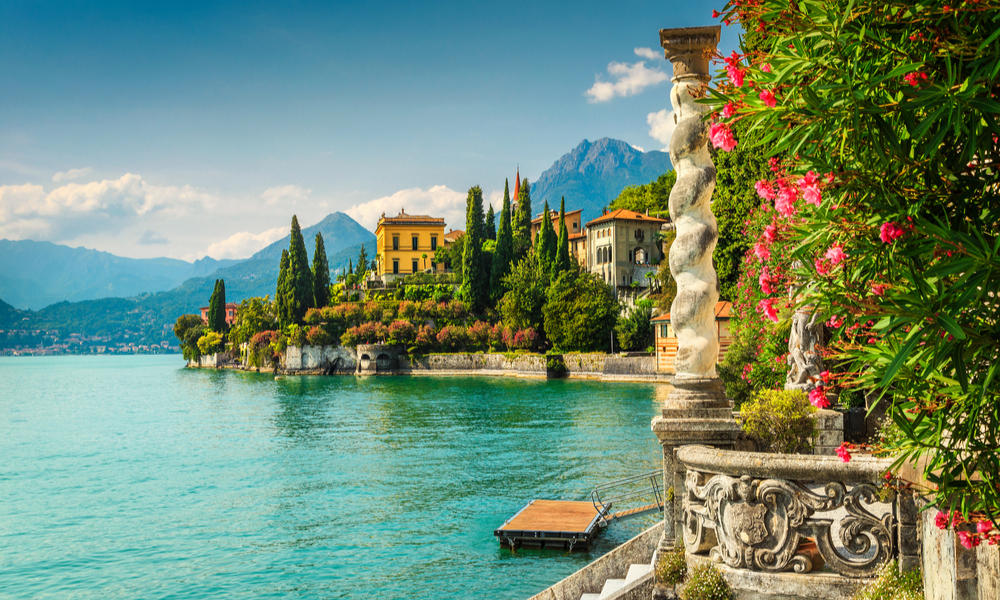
{"points": [[72, 210]]}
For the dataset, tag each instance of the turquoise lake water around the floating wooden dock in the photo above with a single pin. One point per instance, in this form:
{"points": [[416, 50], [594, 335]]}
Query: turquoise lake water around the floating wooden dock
{"points": [[129, 477]]}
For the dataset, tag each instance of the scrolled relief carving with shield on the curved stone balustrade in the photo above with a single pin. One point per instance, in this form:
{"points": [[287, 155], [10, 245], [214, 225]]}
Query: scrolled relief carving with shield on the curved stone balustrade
{"points": [[758, 524]]}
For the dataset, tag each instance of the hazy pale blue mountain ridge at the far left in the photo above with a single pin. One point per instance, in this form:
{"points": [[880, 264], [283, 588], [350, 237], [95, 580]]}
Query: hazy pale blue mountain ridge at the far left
{"points": [[37, 274]]}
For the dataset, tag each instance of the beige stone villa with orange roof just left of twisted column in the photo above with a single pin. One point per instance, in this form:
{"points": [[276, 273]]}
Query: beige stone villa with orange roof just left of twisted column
{"points": [[622, 247]]}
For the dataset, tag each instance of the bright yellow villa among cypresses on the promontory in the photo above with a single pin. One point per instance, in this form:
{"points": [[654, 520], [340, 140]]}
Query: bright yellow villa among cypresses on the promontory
{"points": [[403, 243]]}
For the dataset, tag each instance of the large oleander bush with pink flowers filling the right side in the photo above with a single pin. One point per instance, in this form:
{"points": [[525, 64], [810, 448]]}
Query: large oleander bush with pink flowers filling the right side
{"points": [[902, 233]]}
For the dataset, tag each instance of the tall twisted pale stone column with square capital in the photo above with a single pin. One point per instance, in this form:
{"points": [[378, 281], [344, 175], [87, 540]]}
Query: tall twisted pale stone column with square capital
{"points": [[696, 411]]}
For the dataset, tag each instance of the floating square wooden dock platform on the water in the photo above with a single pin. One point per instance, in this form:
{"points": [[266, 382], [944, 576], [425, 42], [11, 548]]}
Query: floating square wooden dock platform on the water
{"points": [[551, 524]]}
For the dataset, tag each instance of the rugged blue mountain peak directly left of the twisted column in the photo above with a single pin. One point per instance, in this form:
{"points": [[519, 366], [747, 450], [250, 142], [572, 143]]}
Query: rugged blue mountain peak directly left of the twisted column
{"points": [[594, 173]]}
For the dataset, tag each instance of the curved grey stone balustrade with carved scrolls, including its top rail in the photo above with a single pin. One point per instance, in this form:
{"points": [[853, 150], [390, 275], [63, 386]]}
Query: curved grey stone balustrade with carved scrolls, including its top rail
{"points": [[777, 513]]}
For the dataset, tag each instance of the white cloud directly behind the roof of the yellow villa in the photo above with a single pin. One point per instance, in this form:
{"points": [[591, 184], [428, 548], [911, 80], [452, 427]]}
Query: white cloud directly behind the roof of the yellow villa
{"points": [[438, 201]]}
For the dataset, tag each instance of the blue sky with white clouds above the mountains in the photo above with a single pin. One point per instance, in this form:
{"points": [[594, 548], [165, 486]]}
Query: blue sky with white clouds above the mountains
{"points": [[186, 129]]}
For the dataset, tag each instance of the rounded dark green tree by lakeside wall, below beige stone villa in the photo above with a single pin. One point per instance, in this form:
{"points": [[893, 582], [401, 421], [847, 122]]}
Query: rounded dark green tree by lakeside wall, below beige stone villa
{"points": [[580, 312]]}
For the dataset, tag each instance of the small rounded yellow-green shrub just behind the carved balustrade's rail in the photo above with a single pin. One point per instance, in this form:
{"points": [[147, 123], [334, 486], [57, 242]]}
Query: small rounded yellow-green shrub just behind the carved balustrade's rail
{"points": [[780, 420]]}
